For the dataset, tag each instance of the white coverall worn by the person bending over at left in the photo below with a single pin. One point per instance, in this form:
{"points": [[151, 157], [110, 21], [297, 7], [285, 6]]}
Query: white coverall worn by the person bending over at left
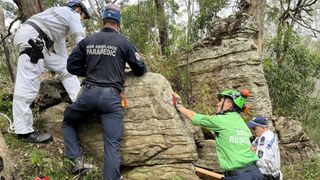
{"points": [[56, 22]]}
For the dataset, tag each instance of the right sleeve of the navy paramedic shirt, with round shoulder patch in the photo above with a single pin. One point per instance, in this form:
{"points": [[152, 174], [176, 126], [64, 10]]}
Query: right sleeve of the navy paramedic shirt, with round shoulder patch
{"points": [[135, 62]]}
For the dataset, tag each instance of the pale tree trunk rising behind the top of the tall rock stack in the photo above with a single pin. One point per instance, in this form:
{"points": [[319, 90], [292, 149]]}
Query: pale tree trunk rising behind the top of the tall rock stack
{"points": [[256, 8]]}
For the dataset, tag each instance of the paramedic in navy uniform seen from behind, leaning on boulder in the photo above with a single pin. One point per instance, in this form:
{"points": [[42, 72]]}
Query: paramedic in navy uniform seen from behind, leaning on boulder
{"points": [[101, 59]]}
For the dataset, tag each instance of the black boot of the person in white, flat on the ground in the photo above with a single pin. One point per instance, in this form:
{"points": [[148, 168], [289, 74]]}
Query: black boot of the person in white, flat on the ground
{"points": [[36, 137]]}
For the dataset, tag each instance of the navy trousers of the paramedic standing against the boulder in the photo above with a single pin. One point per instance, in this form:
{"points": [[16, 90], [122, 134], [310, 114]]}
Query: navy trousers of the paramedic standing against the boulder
{"points": [[106, 102]]}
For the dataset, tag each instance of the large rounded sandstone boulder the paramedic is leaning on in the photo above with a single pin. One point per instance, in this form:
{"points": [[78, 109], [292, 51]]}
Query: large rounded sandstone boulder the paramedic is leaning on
{"points": [[156, 142]]}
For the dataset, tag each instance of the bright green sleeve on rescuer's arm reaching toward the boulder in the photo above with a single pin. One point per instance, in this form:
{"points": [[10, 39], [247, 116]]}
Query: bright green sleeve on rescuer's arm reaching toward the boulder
{"points": [[211, 122]]}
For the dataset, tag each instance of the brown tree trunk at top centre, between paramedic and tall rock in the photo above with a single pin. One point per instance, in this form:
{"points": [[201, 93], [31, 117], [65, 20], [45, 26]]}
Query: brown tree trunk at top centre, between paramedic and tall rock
{"points": [[162, 26]]}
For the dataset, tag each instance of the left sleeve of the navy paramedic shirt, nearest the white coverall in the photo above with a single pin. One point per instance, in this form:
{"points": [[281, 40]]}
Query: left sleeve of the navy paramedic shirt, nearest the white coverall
{"points": [[76, 63]]}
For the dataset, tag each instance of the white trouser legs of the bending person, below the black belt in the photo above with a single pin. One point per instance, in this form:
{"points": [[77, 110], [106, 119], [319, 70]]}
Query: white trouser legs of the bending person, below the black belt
{"points": [[28, 79]]}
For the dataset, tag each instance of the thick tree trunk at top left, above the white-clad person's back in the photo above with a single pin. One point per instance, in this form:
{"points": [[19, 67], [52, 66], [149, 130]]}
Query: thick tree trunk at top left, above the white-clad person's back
{"points": [[28, 8]]}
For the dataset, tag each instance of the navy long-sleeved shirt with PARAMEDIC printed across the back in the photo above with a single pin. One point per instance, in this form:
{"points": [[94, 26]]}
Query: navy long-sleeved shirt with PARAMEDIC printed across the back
{"points": [[101, 59]]}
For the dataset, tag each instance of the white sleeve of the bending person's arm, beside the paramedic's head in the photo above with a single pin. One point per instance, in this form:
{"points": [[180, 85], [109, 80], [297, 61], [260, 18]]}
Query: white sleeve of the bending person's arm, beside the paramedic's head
{"points": [[75, 26]]}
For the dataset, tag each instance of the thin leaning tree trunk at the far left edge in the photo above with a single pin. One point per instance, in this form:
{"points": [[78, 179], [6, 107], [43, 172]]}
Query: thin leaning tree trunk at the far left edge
{"points": [[8, 57]]}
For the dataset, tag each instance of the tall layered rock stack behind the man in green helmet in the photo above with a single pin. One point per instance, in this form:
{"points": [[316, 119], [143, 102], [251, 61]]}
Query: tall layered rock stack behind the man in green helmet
{"points": [[228, 59]]}
